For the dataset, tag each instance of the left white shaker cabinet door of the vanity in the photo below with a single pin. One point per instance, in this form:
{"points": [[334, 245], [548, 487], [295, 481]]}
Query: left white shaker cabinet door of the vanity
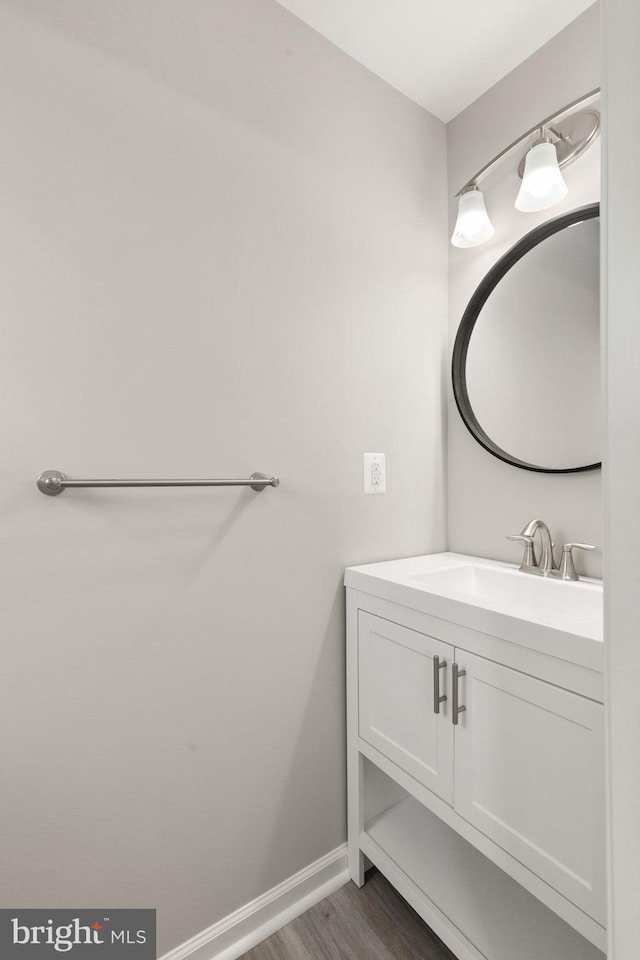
{"points": [[396, 700]]}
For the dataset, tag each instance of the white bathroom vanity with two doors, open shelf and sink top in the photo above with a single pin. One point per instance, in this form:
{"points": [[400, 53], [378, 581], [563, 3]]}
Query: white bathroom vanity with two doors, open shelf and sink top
{"points": [[476, 752]]}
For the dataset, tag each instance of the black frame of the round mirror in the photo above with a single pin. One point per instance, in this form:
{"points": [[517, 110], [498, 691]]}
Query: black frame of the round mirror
{"points": [[468, 321]]}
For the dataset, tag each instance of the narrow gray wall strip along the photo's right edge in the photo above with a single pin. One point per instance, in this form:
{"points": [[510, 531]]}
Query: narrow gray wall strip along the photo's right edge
{"points": [[622, 465]]}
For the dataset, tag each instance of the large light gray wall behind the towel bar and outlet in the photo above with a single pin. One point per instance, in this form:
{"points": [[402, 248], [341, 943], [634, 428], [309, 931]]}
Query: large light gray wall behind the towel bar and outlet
{"points": [[223, 250]]}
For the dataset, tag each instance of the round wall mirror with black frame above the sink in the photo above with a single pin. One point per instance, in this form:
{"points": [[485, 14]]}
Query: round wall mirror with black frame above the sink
{"points": [[526, 360]]}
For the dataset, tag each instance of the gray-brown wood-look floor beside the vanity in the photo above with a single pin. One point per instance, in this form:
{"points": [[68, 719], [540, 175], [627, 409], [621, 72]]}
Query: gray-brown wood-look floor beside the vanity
{"points": [[370, 923]]}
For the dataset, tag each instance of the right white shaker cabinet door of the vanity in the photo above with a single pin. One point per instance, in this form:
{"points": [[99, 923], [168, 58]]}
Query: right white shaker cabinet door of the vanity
{"points": [[529, 773]]}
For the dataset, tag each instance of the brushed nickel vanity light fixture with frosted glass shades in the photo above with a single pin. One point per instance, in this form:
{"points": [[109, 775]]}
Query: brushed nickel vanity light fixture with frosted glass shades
{"points": [[553, 144]]}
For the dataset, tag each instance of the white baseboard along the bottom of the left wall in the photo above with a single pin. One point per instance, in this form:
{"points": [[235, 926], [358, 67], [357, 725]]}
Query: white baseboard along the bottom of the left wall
{"points": [[240, 931]]}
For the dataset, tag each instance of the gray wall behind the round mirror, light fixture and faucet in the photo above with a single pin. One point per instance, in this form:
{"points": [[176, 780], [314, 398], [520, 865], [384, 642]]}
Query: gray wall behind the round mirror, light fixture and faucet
{"points": [[487, 498]]}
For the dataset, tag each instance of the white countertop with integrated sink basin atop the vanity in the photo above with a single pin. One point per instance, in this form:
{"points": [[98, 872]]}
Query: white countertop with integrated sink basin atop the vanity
{"points": [[554, 616]]}
